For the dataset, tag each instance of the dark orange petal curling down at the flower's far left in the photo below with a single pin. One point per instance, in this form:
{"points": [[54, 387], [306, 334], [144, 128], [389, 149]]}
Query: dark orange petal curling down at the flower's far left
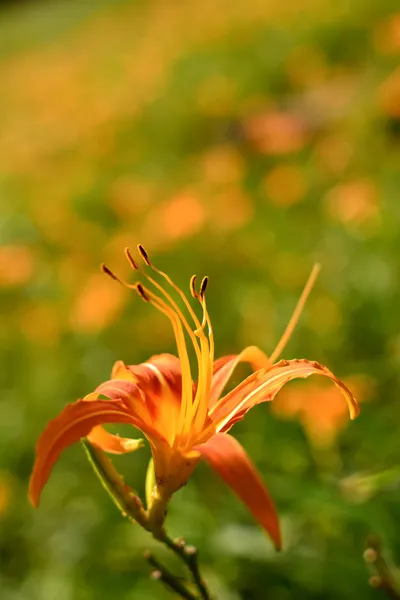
{"points": [[73, 423]]}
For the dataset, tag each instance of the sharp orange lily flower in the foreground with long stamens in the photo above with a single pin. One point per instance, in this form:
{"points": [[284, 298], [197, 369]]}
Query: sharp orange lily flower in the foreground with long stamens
{"points": [[183, 421]]}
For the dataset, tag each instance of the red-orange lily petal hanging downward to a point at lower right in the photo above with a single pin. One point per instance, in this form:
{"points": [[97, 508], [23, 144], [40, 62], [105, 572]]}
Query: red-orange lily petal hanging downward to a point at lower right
{"points": [[230, 461]]}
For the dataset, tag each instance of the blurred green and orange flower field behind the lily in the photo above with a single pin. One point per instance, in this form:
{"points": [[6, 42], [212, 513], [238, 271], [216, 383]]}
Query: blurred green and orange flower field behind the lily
{"points": [[244, 140]]}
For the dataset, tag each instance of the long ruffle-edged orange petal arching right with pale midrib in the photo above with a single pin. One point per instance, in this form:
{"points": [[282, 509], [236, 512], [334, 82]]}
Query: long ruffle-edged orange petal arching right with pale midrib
{"points": [[263, 385]]}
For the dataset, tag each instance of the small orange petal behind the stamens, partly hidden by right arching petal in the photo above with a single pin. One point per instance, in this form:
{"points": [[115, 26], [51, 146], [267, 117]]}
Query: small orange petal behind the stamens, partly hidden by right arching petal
{"points": [[224, 367]]}
